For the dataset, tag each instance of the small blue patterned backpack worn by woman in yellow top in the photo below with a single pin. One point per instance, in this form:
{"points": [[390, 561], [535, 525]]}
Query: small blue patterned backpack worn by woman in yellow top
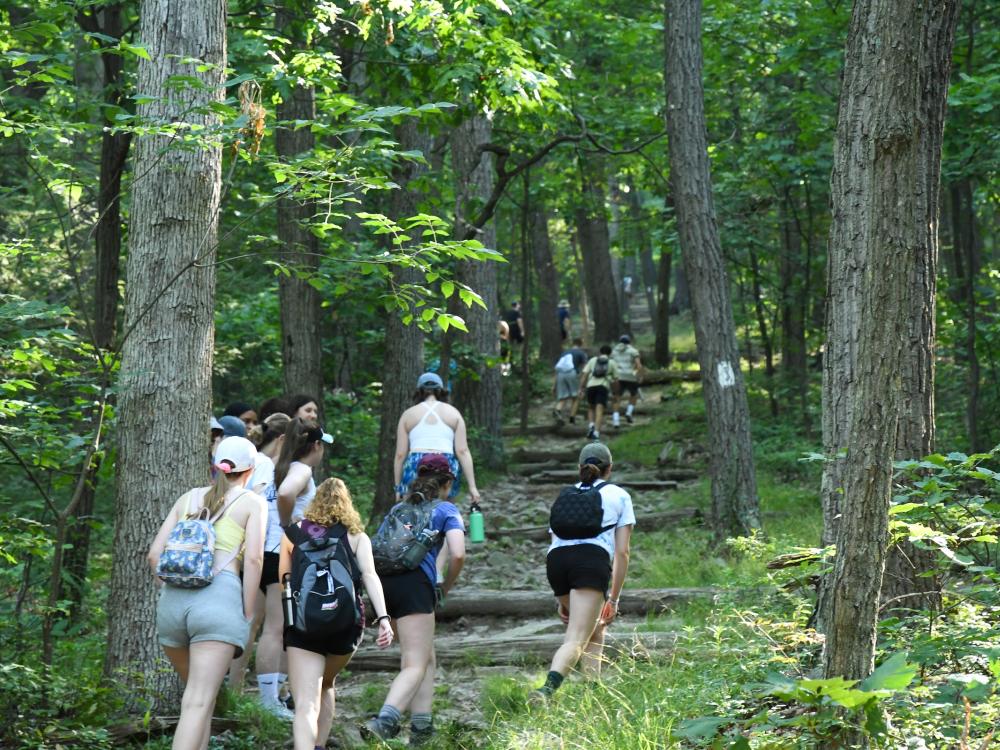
{"points": [[188, 559]]}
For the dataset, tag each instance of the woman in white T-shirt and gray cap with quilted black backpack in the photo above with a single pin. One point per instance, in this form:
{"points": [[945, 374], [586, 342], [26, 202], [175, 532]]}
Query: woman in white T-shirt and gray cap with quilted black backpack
{"points": [[583, 564]]}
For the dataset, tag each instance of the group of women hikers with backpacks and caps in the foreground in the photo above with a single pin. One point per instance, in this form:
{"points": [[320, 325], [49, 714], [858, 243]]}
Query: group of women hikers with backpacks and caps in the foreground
{"points": [[263, 550]]}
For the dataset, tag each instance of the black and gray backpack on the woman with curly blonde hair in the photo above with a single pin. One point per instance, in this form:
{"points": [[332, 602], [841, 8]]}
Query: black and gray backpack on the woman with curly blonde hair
{"points": [[324, 583]]}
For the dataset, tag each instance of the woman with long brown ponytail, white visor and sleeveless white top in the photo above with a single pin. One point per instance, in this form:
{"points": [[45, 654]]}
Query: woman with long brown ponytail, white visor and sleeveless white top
{"points": [[301, 453]]}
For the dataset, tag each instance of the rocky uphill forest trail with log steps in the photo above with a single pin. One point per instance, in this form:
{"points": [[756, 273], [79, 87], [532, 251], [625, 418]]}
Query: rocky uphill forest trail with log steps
{"points": [[501, 617]]}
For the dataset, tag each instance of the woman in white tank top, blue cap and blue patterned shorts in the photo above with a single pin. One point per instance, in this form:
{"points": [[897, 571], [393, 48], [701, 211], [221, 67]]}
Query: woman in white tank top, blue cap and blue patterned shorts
{"points": [[432, 425]]}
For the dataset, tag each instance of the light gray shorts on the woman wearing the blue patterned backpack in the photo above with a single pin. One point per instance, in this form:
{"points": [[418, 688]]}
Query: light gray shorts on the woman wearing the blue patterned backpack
{"points": [[214, 613]]}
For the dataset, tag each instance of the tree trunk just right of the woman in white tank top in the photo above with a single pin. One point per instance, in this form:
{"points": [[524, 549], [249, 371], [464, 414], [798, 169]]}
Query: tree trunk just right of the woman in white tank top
{"points": [[479, 398]]}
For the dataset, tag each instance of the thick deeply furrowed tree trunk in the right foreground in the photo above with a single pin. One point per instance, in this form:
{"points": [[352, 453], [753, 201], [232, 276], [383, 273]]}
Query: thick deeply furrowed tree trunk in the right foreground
{"points": [[884, 190]]}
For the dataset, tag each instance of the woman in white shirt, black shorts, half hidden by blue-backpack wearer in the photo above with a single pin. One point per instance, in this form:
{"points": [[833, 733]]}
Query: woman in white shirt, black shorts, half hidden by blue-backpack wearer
{"points": [[269, 436]]}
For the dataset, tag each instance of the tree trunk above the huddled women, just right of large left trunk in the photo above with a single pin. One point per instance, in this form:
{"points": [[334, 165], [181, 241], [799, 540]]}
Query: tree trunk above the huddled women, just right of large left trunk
{"points": [[301, 341]]}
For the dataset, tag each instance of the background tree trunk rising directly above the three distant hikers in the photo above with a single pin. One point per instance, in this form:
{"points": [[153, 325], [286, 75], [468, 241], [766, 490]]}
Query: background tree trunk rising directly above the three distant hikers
{"points": [[592, 231]]}
